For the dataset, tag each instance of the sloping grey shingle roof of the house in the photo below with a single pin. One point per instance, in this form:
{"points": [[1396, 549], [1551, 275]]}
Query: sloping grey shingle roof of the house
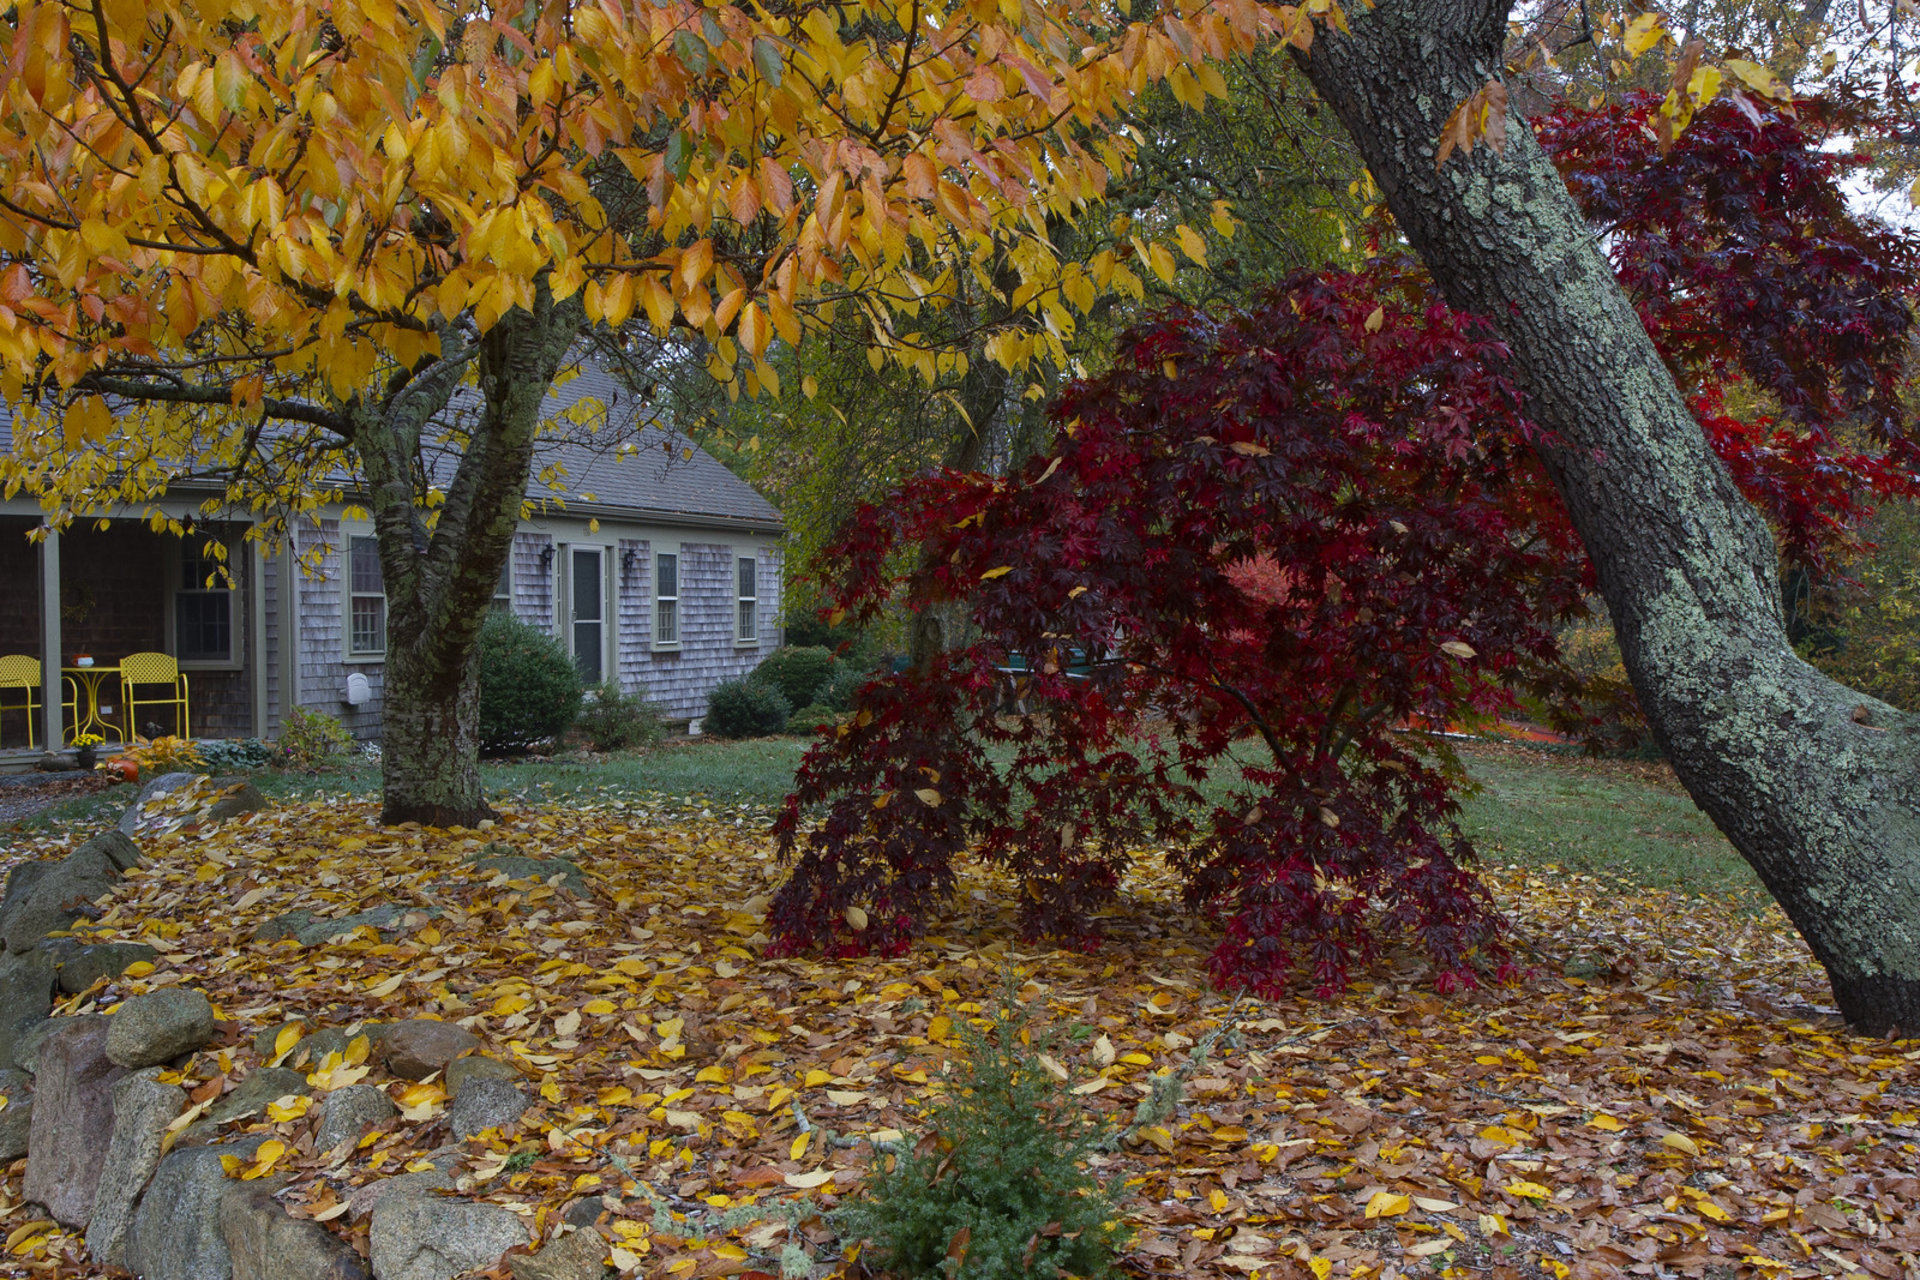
{"points": [[606, 458]]}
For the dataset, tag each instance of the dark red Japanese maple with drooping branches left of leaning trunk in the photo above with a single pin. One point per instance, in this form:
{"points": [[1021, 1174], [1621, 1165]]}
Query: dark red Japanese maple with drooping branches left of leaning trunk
{"points": [[1351, 433]]}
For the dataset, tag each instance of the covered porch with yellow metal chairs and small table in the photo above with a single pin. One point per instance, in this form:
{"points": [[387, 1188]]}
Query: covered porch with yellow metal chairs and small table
{"points": [[91, 598]]}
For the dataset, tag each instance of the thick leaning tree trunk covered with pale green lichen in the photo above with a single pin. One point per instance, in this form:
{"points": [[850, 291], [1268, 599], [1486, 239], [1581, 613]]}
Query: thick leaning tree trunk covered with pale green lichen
{"points": [[1812, 782]]}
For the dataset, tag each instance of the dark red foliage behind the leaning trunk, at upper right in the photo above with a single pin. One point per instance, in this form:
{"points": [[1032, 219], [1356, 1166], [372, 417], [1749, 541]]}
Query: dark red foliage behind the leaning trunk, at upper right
{"points": [[1746, 266]]}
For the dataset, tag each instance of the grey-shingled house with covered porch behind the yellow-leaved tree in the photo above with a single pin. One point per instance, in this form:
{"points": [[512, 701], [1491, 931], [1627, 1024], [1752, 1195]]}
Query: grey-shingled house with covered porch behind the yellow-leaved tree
{"points": [[654, 563]]}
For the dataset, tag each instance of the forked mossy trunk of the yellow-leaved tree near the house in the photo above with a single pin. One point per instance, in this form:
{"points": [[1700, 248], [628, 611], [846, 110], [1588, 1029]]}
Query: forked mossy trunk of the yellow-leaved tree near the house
{"points": [[441, 577]]}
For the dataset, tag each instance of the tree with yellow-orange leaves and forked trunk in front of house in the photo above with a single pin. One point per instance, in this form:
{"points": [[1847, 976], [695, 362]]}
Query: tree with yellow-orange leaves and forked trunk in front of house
{"points": [[279, 235]]}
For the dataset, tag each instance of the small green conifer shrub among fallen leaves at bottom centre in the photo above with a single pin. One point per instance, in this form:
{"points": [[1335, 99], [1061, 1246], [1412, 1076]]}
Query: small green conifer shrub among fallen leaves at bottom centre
{"points": [[1003, 1164]]}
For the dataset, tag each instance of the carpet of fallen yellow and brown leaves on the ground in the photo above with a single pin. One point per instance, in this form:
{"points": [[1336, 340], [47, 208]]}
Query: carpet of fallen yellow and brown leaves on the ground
{"points": [[1666, 1097]]}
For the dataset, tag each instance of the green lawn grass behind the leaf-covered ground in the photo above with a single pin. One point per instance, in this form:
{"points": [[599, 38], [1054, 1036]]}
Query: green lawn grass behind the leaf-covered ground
{"points": [[1529, 809]]}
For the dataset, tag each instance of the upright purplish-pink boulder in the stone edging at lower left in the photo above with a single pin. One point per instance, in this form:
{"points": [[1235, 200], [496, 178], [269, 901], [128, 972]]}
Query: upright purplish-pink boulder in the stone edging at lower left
{"points": [[72, 1120]]}
